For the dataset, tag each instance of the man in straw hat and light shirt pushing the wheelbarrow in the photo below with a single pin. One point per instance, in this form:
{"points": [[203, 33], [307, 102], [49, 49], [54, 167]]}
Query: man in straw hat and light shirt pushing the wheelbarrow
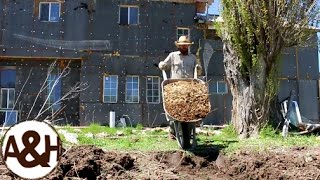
{"points": [[182, 65]]}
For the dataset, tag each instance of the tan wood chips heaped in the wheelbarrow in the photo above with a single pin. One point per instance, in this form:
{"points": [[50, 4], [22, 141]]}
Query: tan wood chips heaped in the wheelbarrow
{"points": [[186, 100]]}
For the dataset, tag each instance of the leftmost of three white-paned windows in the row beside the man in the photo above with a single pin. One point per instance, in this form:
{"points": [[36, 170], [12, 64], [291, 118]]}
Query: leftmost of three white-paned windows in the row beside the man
{"points": [[110, 89]]}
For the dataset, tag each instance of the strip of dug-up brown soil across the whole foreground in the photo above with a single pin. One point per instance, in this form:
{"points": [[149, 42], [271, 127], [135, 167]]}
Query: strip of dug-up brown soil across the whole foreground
{"points": [[89, 162]]}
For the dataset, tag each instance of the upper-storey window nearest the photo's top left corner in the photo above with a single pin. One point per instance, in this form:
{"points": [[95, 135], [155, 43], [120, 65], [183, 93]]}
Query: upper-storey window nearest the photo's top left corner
{"points": [[49, 11]]}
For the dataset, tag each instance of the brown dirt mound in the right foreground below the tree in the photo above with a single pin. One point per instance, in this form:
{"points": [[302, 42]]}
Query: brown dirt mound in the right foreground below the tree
{"points": [[295, 163]]}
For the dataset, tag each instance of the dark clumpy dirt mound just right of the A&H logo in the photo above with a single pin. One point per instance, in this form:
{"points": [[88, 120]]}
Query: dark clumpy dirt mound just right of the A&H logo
{"points": [[92, 163]]}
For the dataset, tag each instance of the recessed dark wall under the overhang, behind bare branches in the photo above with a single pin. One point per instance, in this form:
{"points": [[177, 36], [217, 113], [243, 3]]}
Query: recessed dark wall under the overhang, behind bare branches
{"points": [[30, 78]]}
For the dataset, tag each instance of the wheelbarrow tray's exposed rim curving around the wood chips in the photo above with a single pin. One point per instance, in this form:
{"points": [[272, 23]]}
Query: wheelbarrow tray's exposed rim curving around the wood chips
{"points": [[168, 81]]}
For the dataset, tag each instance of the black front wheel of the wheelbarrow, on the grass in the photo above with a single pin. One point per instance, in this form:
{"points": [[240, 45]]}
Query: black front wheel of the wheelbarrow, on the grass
{"points": [[185, 134]]}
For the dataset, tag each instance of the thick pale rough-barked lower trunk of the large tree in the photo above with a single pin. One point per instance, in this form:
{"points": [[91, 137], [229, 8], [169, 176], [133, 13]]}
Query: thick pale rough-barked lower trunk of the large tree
{"points": [[250, 93]]}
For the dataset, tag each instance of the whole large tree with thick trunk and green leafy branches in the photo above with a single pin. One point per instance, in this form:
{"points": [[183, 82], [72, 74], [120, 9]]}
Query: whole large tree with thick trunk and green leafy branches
{"points": [[254, 32]]}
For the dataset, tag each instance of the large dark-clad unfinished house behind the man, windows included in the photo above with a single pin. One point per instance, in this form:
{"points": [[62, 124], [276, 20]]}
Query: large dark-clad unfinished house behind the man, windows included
{"points": [[104, 53]]}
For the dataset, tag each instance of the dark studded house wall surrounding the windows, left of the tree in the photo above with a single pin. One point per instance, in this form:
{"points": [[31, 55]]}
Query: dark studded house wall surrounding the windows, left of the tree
{"points": [[127, 50]]}
